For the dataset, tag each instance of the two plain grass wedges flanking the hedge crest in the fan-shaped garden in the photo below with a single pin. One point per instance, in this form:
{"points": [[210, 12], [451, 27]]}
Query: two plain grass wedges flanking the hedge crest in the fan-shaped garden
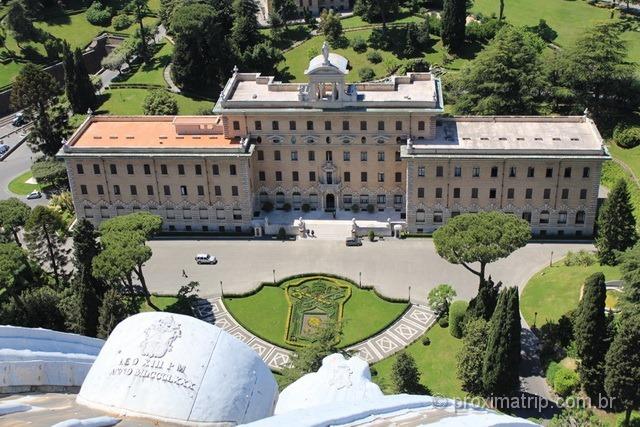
{"points": [[265, 314]]}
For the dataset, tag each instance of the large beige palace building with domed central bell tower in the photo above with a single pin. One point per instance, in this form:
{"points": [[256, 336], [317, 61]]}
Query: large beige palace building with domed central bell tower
{"points": [[365, 150]]}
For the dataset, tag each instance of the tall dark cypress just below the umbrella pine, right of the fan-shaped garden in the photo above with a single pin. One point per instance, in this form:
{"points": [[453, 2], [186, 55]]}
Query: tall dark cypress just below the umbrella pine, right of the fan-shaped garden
{"points": [[502, 356]]}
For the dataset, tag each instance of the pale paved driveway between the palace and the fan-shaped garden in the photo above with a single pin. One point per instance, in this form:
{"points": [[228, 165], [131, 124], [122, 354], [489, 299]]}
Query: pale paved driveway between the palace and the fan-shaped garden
{"points": [[391, 266]]}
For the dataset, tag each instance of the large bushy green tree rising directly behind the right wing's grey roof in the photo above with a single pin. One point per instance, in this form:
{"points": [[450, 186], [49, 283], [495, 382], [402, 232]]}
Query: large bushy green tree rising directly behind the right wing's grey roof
{"points": [[505, 78]]}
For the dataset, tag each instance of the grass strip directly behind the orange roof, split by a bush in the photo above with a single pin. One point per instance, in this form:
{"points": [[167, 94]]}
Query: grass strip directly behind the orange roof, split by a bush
{"points": [[129, 102]]}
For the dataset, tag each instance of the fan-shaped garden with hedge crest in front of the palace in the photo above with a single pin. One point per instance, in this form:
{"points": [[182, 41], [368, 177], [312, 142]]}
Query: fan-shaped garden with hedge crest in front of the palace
{"points": [[286, 313]]}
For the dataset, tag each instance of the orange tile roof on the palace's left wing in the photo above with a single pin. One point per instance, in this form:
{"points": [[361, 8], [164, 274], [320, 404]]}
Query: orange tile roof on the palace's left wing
{"points": [[150, 132]]}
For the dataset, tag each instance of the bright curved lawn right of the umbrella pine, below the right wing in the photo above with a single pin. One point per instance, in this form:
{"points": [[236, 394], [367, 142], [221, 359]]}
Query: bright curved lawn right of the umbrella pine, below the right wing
{"points": [[555, 290]]}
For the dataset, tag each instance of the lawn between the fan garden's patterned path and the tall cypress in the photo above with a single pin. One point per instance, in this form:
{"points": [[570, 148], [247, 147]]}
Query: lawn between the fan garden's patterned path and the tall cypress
{"points": [[436, 363]]}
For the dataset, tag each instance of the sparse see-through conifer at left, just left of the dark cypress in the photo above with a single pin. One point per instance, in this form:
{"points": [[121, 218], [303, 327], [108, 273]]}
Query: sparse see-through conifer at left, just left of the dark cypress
{"points": [[44, 235]]}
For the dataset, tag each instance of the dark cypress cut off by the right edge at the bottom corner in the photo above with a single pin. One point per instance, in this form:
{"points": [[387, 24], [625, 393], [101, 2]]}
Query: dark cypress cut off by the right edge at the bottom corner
{"points": [[622, 366]]}
